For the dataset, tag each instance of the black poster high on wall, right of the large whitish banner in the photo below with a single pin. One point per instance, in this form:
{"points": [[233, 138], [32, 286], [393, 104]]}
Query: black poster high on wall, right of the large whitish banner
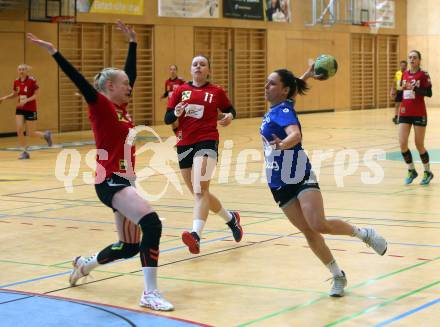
{"points": [[243, 9]]}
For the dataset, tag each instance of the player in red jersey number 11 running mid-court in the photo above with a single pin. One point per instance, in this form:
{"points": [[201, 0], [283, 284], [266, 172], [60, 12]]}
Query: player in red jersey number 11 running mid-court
{"points": [[195, 106]]}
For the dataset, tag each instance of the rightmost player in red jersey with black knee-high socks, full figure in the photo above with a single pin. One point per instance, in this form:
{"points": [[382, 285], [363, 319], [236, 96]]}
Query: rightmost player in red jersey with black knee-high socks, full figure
{"points": [[416, 85]]}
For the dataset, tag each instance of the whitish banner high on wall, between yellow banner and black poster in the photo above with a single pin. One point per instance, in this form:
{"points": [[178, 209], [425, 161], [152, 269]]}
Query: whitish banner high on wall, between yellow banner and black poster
{"points": [[188, 8]]}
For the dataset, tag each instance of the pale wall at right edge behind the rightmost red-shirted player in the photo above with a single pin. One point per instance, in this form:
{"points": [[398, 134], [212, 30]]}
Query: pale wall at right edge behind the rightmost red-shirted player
{"points": [[424, 35]]}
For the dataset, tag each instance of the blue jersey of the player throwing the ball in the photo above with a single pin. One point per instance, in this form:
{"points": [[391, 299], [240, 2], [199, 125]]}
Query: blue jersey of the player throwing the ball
{"points": [[283, 166]]}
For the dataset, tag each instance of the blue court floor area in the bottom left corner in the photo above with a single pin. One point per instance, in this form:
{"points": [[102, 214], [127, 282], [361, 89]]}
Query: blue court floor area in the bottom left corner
{"points": [[23, 309]]}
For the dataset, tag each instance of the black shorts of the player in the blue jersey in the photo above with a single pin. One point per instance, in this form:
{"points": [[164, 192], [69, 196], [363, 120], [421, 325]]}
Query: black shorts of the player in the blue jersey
{"points": [[286, 194]]}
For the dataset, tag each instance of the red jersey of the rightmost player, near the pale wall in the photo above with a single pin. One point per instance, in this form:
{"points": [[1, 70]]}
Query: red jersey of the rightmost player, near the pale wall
{"points": [[413, 104]]}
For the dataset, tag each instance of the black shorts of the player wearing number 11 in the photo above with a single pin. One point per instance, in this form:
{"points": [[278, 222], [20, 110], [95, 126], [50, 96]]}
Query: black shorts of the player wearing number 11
{"points": [[186, 153]]}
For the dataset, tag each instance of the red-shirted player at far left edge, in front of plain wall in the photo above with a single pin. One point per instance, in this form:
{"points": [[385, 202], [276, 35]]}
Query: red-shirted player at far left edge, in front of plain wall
{"points": [[26, 89]]}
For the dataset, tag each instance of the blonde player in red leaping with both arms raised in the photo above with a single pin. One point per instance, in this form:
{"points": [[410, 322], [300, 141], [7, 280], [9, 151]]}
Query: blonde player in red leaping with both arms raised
{"points": [[107, 101]]}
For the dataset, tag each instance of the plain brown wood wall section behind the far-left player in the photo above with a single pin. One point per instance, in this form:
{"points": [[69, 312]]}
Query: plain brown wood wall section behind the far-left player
{"points": [[15, 50]]}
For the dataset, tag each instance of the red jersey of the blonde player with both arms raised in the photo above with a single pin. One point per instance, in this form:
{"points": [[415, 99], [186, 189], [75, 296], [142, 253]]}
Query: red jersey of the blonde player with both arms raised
{"points": [[111, 125]]}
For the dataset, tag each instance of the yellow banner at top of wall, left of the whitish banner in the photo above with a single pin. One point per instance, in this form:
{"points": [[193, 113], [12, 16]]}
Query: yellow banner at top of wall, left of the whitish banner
{"points": [[126, 7]]}
